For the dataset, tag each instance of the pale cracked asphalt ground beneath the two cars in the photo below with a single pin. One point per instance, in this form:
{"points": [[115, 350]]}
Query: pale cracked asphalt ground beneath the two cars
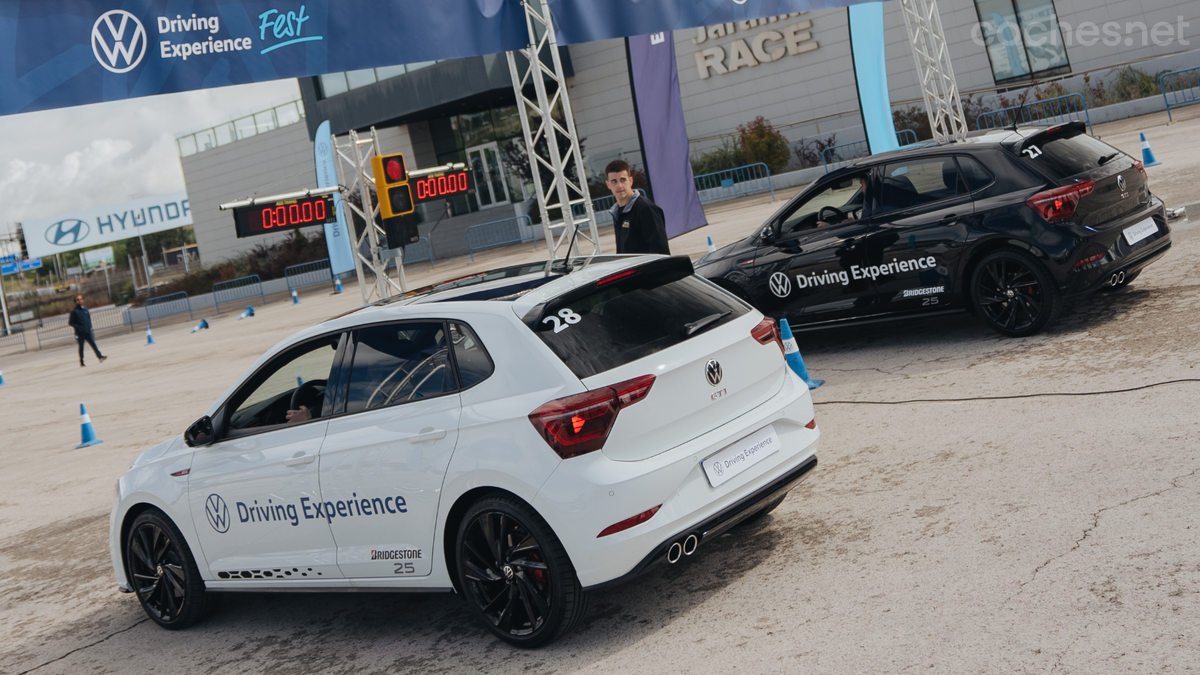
{"points": [[1025, 535]]}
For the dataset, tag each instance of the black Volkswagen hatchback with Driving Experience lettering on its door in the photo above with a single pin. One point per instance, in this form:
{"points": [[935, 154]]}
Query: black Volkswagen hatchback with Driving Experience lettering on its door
{"points": [[1006, 225]]}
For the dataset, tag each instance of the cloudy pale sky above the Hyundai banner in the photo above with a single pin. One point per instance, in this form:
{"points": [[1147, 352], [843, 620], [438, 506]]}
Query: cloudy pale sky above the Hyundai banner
{"points": [[58, 162]]}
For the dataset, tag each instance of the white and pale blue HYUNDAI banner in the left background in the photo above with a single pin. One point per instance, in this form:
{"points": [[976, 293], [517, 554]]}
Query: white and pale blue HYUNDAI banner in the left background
{"points": [[103, 225]]}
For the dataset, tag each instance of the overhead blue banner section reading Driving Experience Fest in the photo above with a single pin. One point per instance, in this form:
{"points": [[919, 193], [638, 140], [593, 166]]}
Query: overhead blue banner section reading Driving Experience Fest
{"points": [[59, 53]]}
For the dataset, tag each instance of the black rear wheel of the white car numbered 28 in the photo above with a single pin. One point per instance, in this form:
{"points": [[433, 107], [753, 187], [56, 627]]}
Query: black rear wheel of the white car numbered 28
{"points": [[517, 575]]}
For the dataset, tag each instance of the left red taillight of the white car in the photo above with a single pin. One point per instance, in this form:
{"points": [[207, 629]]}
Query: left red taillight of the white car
{"points": [[579, 425]]}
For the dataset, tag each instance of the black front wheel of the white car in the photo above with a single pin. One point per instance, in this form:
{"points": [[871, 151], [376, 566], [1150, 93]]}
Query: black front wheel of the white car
{"points": [[164, 575]]}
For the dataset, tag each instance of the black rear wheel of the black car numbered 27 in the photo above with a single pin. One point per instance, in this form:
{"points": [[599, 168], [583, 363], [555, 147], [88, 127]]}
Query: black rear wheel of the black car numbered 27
{"points": [[1015, 294]]}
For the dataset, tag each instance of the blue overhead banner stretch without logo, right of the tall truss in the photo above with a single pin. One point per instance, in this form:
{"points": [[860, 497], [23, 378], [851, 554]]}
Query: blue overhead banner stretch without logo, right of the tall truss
{"points": [[586, 21]]}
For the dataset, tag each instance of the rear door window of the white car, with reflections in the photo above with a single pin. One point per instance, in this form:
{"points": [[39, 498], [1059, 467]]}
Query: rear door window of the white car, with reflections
{"points": [[398, 363]]}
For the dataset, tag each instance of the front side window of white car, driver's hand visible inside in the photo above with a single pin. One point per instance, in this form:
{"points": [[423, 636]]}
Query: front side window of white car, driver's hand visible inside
{"points": [[267, 398]]}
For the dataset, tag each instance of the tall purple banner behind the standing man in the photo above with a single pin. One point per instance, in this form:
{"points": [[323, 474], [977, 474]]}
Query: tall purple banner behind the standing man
{"points": [[656, 81]]}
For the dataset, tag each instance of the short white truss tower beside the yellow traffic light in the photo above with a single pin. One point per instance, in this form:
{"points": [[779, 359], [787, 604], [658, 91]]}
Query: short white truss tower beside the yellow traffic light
{"points": [[356, 174]]}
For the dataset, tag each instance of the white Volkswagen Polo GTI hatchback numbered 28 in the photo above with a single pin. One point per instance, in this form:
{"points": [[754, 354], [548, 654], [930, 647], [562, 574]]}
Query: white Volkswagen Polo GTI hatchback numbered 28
{"points": [[518, 437]]}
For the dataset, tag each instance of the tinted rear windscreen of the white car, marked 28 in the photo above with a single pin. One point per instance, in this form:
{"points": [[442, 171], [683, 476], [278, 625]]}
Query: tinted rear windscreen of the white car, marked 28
{"points": [[614, 324]]}
